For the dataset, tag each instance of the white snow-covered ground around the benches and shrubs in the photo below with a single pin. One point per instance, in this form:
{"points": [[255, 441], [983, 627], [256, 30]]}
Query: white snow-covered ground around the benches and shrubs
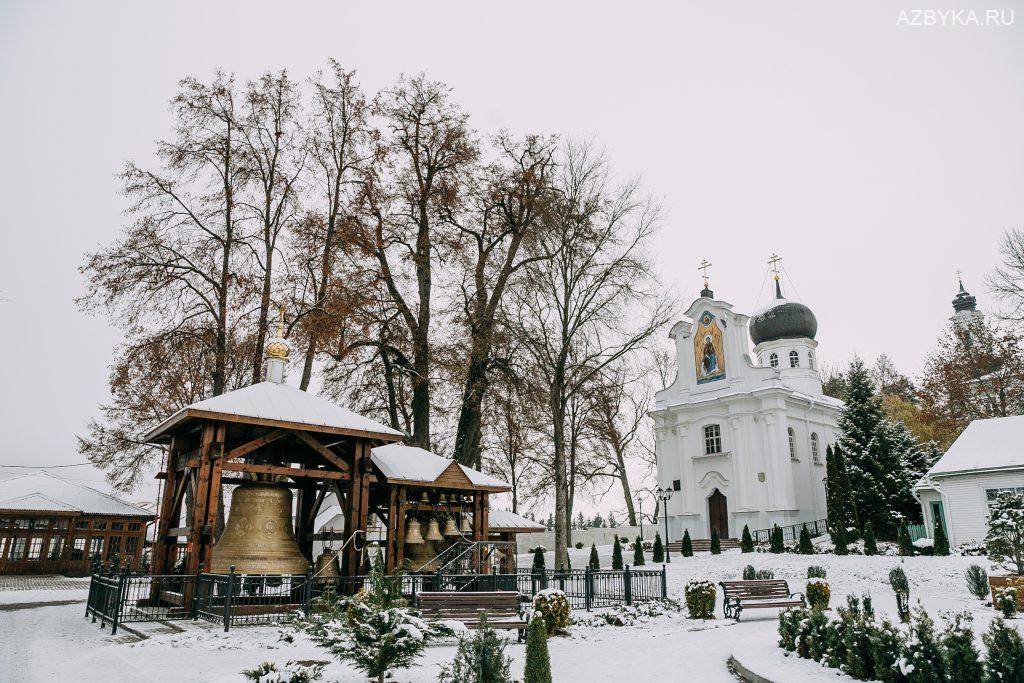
{"points": [[57, 644]]}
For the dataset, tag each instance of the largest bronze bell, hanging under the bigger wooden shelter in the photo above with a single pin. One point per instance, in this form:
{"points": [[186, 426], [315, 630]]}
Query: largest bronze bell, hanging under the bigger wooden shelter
{"points": [[259, 538]]}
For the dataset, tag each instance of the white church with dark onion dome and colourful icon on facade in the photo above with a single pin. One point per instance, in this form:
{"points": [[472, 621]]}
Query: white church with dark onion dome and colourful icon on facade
{"points": [[742, 439]]}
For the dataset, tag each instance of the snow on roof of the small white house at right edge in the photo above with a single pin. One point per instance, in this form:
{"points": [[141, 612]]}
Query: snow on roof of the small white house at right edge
{"points": [[986, 445]]}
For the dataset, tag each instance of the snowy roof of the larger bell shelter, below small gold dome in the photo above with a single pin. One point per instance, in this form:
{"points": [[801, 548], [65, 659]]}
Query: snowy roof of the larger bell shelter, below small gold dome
{"points": [[282, 403]]}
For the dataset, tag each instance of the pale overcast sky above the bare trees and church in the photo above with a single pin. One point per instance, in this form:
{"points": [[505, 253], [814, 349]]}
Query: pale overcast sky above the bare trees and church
{"points": [[876, 159]]}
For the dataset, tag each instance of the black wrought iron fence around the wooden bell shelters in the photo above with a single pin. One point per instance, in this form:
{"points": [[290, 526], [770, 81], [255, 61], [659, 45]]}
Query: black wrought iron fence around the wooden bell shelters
{"points": [[234, 600]]}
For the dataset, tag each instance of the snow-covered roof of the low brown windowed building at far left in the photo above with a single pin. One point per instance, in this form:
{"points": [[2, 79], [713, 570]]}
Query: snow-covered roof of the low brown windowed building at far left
{"points": [[44, 492]]}
